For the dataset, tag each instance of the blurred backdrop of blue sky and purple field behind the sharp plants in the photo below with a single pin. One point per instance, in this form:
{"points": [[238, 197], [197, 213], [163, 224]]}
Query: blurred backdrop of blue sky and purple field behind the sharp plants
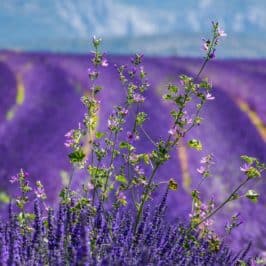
{"points": [[44, 57]]}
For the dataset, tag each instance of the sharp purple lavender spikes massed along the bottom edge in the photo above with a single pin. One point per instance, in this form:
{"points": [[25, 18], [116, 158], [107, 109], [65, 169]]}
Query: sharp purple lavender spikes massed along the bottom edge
{"points": [[76, 235]]}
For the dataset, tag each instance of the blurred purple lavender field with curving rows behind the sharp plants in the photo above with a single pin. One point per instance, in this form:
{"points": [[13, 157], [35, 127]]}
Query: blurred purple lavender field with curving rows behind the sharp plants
{"points": [[41, 103]]}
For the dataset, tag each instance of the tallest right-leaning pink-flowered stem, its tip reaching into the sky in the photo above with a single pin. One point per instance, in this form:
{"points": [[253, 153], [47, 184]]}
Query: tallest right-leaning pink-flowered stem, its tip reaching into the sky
{"points": [[181, 97]]}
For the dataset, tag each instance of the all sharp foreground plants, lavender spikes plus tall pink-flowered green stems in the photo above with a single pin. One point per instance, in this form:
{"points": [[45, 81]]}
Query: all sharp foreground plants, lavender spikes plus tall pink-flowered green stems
{"points": [[97, 225]]}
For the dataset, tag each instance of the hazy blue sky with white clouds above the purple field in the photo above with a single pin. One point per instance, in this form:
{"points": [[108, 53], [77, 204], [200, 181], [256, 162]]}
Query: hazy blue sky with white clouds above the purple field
{"points": [[154, 27]]}
